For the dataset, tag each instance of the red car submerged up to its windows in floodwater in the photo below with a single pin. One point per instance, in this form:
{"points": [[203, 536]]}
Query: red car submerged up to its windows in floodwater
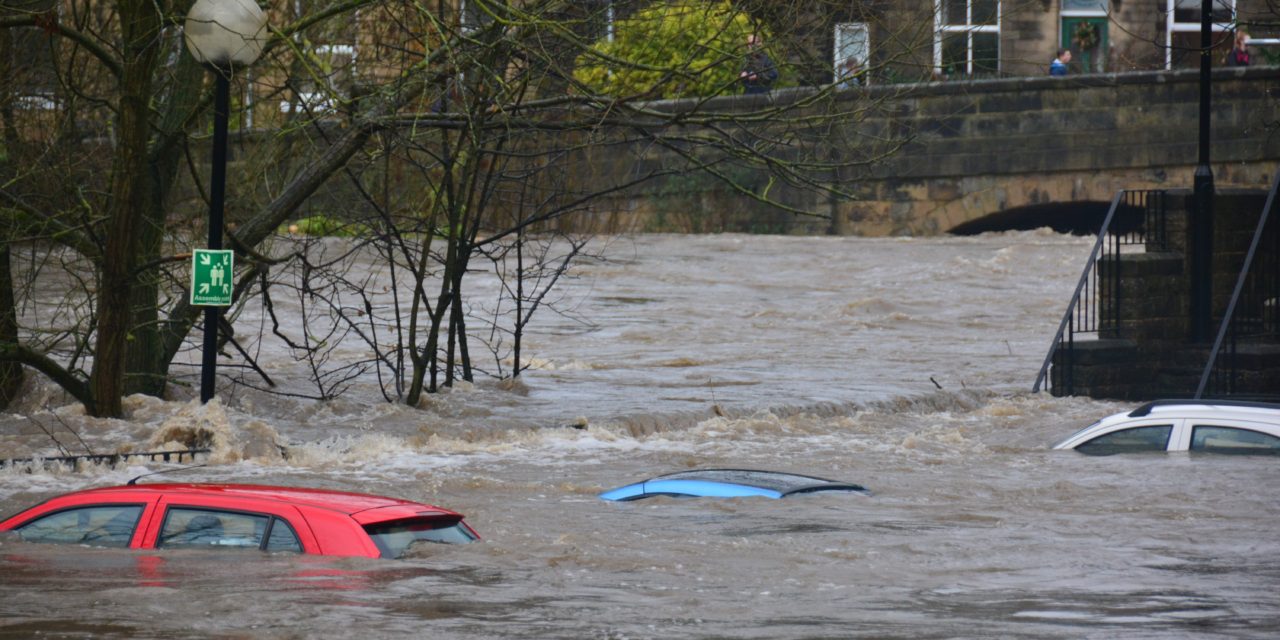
{"points": [[228, 516]]}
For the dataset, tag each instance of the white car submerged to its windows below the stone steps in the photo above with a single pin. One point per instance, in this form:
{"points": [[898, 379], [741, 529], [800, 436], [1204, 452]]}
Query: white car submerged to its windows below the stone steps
{"points": [[1215, 427]]}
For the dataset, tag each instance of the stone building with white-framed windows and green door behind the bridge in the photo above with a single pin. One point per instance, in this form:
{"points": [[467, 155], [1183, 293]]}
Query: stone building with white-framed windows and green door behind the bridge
{"points": [[966, 39]]}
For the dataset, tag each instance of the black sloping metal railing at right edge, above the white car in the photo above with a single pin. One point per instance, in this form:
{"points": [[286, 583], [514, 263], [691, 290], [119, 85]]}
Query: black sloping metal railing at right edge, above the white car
{"points": [[1252, 314]]}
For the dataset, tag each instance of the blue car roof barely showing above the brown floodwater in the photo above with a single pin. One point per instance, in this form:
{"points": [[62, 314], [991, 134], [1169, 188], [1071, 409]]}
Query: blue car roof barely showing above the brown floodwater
{"points": [[729, 483]]}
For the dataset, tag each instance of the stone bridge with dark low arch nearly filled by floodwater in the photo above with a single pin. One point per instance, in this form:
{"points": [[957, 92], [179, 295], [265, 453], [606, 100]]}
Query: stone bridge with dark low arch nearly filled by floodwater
{"points": [[1026, 153]]}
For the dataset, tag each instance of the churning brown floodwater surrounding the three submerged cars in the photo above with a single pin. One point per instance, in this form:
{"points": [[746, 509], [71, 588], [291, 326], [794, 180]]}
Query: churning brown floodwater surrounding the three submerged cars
{"points": [[903, 365]]}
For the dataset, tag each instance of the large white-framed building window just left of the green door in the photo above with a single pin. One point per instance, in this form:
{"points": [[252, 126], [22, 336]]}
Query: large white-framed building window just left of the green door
{"points": [[967, 42]]}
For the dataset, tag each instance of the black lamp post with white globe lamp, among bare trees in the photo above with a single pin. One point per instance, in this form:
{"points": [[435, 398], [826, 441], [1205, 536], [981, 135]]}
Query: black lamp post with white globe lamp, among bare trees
{"points": [[223, 35]]}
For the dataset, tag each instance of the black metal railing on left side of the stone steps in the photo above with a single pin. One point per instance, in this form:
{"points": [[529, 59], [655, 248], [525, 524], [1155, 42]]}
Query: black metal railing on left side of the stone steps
{"points": [[1135, 218]]}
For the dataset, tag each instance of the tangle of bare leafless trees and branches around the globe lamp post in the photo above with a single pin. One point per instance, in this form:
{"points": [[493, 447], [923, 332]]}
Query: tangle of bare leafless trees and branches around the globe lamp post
{"points": [[461, 132]]}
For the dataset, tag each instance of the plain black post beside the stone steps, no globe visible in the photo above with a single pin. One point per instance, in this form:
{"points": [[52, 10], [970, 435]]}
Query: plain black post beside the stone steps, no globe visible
{"points": [[1203, 217]]}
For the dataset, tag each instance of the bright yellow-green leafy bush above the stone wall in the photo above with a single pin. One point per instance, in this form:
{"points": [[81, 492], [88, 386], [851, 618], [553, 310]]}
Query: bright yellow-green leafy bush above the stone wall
{"points": [[680, 49]]}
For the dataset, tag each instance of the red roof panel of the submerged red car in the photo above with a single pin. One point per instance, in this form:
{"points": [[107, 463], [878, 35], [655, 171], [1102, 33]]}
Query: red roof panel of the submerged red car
{"points": [[345, 502]]}
